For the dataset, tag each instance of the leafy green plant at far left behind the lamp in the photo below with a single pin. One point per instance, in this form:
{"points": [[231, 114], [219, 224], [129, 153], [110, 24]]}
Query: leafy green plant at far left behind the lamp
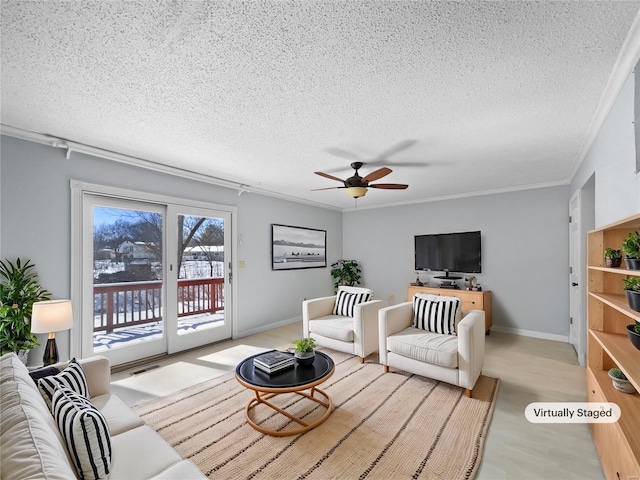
{"points": [[19, 290]]}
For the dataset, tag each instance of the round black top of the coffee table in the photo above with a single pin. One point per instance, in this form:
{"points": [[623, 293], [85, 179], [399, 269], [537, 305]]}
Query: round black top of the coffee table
{"points": [[292, 377]]}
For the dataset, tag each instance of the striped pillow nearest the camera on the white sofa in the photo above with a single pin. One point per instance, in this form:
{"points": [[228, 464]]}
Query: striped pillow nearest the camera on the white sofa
{"points": [[85, 431]]}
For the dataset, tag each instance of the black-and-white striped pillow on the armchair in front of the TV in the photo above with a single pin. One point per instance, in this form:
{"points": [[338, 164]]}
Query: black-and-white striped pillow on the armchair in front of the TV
{"points": [[436, 314]]}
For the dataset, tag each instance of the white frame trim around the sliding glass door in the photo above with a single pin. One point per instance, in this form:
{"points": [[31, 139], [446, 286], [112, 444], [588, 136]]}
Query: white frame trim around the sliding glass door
{"points": [[78, 190]]}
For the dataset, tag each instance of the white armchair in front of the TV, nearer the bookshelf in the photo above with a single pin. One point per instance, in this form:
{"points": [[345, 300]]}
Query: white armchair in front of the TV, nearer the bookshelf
{"points": [[455, 359]]}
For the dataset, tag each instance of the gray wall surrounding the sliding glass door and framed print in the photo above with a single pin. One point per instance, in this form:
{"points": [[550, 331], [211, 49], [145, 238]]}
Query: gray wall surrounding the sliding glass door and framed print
{"points": [[35, 219]]}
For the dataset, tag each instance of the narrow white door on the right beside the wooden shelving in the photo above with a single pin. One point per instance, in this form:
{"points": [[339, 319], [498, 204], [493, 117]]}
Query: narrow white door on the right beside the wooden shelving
{"points": [[576, 325]]}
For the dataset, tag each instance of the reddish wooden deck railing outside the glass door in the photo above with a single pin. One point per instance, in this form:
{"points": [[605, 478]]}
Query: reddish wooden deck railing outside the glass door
{"points": [[127, 304]]}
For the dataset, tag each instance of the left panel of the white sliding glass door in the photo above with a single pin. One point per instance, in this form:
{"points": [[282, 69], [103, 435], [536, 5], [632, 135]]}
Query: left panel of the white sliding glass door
{"points": [[123, 300]]}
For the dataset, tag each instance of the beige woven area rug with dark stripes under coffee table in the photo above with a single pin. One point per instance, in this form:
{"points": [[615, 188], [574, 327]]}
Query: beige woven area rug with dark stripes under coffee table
{"points": [[383, 426]]}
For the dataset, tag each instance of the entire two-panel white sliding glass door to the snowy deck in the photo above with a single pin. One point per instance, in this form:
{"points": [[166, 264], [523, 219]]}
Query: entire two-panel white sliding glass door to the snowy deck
{"points": [[155, 277]]}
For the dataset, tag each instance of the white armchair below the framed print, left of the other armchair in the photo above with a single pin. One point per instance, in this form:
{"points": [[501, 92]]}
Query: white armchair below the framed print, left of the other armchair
{"points": [[357, 334]]}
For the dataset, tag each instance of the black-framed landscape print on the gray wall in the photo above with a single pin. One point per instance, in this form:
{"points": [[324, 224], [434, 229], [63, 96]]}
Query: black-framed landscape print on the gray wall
{"points": [[297, 247]]}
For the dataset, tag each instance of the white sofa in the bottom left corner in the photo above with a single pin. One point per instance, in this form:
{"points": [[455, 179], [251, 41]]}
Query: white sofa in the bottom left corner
{"points": [[31, 445]]}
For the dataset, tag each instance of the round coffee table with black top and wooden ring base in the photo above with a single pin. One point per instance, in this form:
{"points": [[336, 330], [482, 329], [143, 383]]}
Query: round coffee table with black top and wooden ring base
{"points": [[294, 380]]}
